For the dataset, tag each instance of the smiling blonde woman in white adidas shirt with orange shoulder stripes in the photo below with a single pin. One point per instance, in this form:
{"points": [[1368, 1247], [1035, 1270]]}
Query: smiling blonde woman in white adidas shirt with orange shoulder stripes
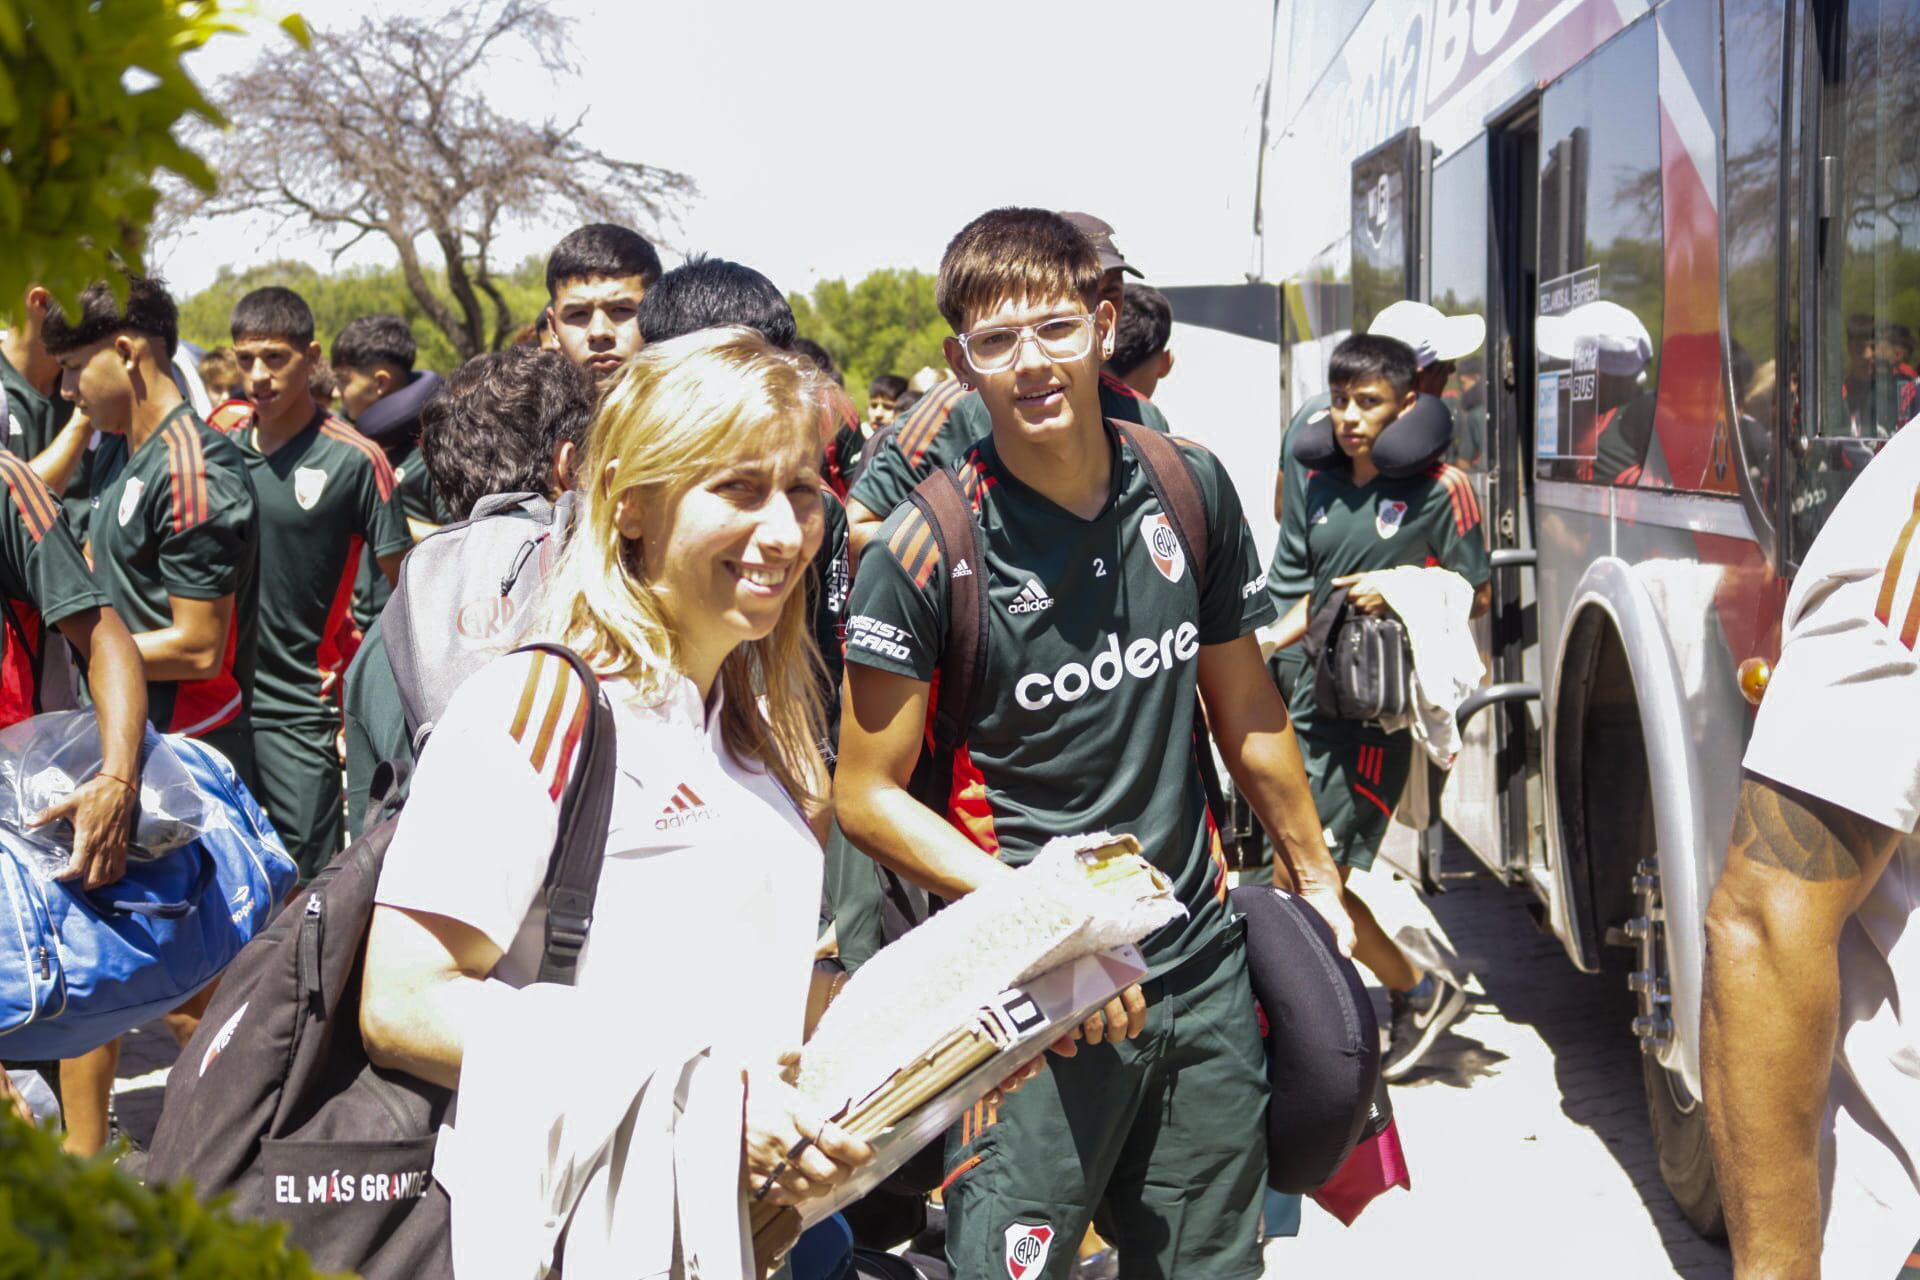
{"points": [[681, 586]]}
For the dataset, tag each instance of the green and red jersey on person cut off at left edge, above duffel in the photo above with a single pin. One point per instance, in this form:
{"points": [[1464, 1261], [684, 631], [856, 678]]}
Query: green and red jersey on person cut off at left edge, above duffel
{"points": [[45, 579]]}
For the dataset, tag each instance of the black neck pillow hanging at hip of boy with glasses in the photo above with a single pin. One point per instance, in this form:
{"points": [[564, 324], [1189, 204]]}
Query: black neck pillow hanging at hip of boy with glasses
{"points": [[1324, 1041]]}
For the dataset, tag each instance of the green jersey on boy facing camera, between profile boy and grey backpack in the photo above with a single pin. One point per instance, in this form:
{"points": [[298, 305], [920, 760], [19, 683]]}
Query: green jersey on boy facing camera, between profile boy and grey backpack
{"points": [[325, 498]]}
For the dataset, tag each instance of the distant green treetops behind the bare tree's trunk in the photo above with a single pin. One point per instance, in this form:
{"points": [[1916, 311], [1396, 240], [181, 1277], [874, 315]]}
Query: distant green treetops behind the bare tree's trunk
{"points": [[343, 296]]}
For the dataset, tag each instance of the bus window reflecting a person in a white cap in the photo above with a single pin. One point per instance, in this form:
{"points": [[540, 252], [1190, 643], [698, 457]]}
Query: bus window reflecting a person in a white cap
{"points": [[1602, 273]]}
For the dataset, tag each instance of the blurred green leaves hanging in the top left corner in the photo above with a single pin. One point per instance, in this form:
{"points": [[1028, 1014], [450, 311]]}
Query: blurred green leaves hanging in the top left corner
{"points": [[89, 99]]}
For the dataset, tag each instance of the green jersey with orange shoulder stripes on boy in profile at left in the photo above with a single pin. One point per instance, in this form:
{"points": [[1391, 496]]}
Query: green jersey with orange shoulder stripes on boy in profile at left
{"points": [[180, 519]]}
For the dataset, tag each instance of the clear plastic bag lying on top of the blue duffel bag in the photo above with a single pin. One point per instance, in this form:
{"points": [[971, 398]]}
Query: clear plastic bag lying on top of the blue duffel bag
{"points": [[47, 759]]}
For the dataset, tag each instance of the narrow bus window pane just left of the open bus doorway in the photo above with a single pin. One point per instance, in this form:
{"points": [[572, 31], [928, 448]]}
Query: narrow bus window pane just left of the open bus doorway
{"points": [[1458, 287]]}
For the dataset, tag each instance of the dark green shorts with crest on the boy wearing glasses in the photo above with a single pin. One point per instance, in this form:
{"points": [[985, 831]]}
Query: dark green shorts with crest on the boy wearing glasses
{"points": [[1159, 1141]]}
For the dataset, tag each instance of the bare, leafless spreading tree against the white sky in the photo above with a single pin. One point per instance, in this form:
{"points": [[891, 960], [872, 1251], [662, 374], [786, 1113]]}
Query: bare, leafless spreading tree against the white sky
{"points": [[387, 131]]}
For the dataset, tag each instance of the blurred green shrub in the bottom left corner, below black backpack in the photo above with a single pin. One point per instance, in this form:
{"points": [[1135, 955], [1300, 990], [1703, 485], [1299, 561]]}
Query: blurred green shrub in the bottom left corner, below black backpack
{"points": [[64, 1220]]}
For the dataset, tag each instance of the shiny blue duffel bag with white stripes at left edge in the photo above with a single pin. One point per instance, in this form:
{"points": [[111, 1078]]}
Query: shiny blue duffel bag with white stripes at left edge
{"points": [[82, 968]]}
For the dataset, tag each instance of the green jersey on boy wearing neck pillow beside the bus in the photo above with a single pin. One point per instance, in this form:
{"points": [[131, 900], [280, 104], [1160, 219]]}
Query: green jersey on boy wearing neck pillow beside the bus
{"points": [[1343, 529]]}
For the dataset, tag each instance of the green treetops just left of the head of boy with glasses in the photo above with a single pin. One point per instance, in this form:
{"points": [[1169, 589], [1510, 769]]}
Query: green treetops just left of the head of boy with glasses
{"points": [[882, 325]]}
